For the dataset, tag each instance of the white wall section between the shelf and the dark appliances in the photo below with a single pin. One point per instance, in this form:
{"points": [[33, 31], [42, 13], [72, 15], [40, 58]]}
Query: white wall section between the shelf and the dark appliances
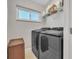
{"points": [[55, 20]]}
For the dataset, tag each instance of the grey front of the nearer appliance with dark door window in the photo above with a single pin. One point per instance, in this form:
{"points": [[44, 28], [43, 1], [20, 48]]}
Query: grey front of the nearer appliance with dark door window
{"points": [[50, 47]]}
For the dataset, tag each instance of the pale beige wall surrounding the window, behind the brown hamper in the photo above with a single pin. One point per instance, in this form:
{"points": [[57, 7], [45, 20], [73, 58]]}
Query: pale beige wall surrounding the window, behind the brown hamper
{"points": [[18, 29]]}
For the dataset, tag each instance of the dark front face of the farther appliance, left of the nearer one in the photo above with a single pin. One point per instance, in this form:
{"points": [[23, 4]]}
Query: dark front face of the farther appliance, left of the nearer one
{"points": [[35, 38]]}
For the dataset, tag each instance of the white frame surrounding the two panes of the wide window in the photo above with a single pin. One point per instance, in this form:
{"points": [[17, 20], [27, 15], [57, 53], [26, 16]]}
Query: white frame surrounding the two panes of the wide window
{"points": [[29, 10]]}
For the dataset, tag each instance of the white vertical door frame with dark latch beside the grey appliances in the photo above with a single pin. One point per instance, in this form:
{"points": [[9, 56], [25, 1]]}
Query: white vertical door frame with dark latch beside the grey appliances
{"points": [[67, 25]]}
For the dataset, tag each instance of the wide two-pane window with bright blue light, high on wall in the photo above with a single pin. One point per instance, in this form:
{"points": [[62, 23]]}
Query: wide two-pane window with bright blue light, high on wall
{"points": [[28, 14]]}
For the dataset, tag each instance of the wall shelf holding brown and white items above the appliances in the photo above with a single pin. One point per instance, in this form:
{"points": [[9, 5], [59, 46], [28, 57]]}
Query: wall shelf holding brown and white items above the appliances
{"points": [[53, 9]]}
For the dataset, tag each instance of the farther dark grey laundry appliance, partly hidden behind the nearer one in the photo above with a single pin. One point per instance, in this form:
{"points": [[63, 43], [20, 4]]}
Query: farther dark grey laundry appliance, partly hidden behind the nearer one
{"points": [[35, 40]]}
